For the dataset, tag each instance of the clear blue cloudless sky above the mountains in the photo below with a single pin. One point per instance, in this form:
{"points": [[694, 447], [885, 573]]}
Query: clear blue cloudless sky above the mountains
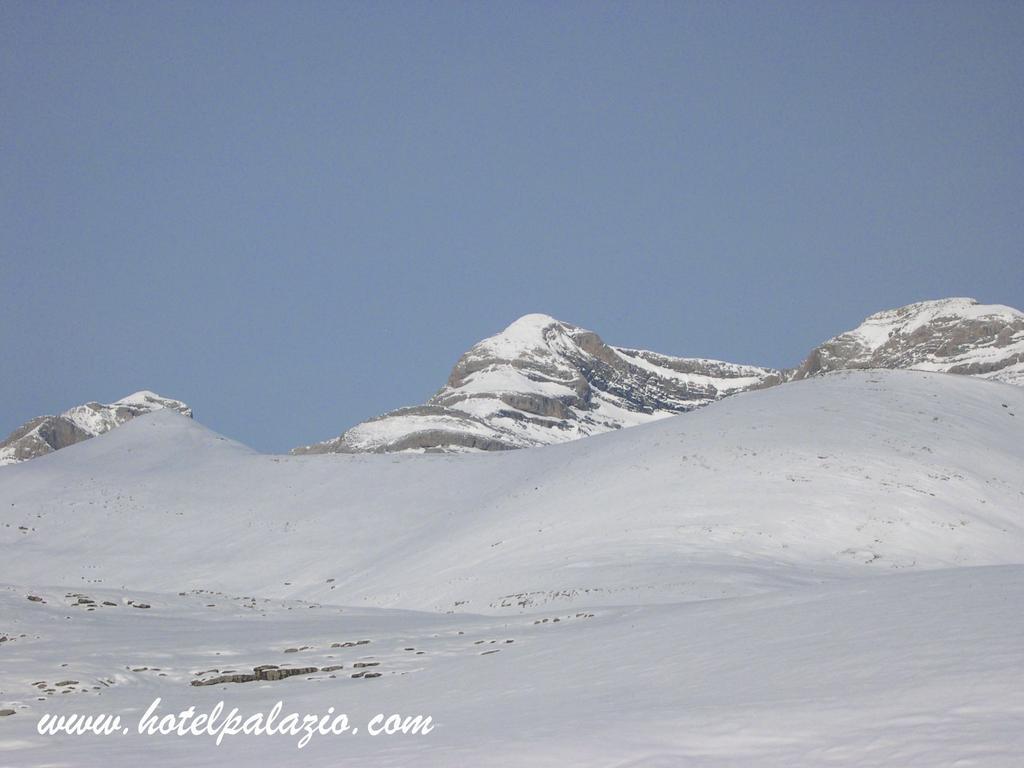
{"points": [[297, 216]]}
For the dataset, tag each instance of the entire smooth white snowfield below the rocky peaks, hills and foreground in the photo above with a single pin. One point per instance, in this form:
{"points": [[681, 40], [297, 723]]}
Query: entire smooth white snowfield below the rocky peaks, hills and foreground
{"points": [[827, 573]]}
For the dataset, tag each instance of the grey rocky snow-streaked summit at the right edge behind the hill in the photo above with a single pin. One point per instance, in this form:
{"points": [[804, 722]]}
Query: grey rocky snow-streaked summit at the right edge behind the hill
{"points": [[958, 336]]}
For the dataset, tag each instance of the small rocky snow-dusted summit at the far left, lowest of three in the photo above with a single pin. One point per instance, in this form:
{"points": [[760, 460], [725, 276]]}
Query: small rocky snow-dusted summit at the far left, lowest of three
{"points": [[46, 435]]}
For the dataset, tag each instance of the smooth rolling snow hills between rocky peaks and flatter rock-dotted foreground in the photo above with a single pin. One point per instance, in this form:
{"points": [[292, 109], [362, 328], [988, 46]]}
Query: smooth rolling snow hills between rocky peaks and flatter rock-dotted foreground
{"points": [[850, 474]]}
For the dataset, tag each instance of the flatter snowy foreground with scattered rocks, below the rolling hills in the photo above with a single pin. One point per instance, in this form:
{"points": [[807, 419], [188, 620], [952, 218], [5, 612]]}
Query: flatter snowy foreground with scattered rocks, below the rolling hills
{"points": [[920, 670]]}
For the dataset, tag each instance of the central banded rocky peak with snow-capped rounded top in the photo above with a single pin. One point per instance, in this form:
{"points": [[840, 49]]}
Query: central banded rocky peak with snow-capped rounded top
{"points": [[542, 381]]}
